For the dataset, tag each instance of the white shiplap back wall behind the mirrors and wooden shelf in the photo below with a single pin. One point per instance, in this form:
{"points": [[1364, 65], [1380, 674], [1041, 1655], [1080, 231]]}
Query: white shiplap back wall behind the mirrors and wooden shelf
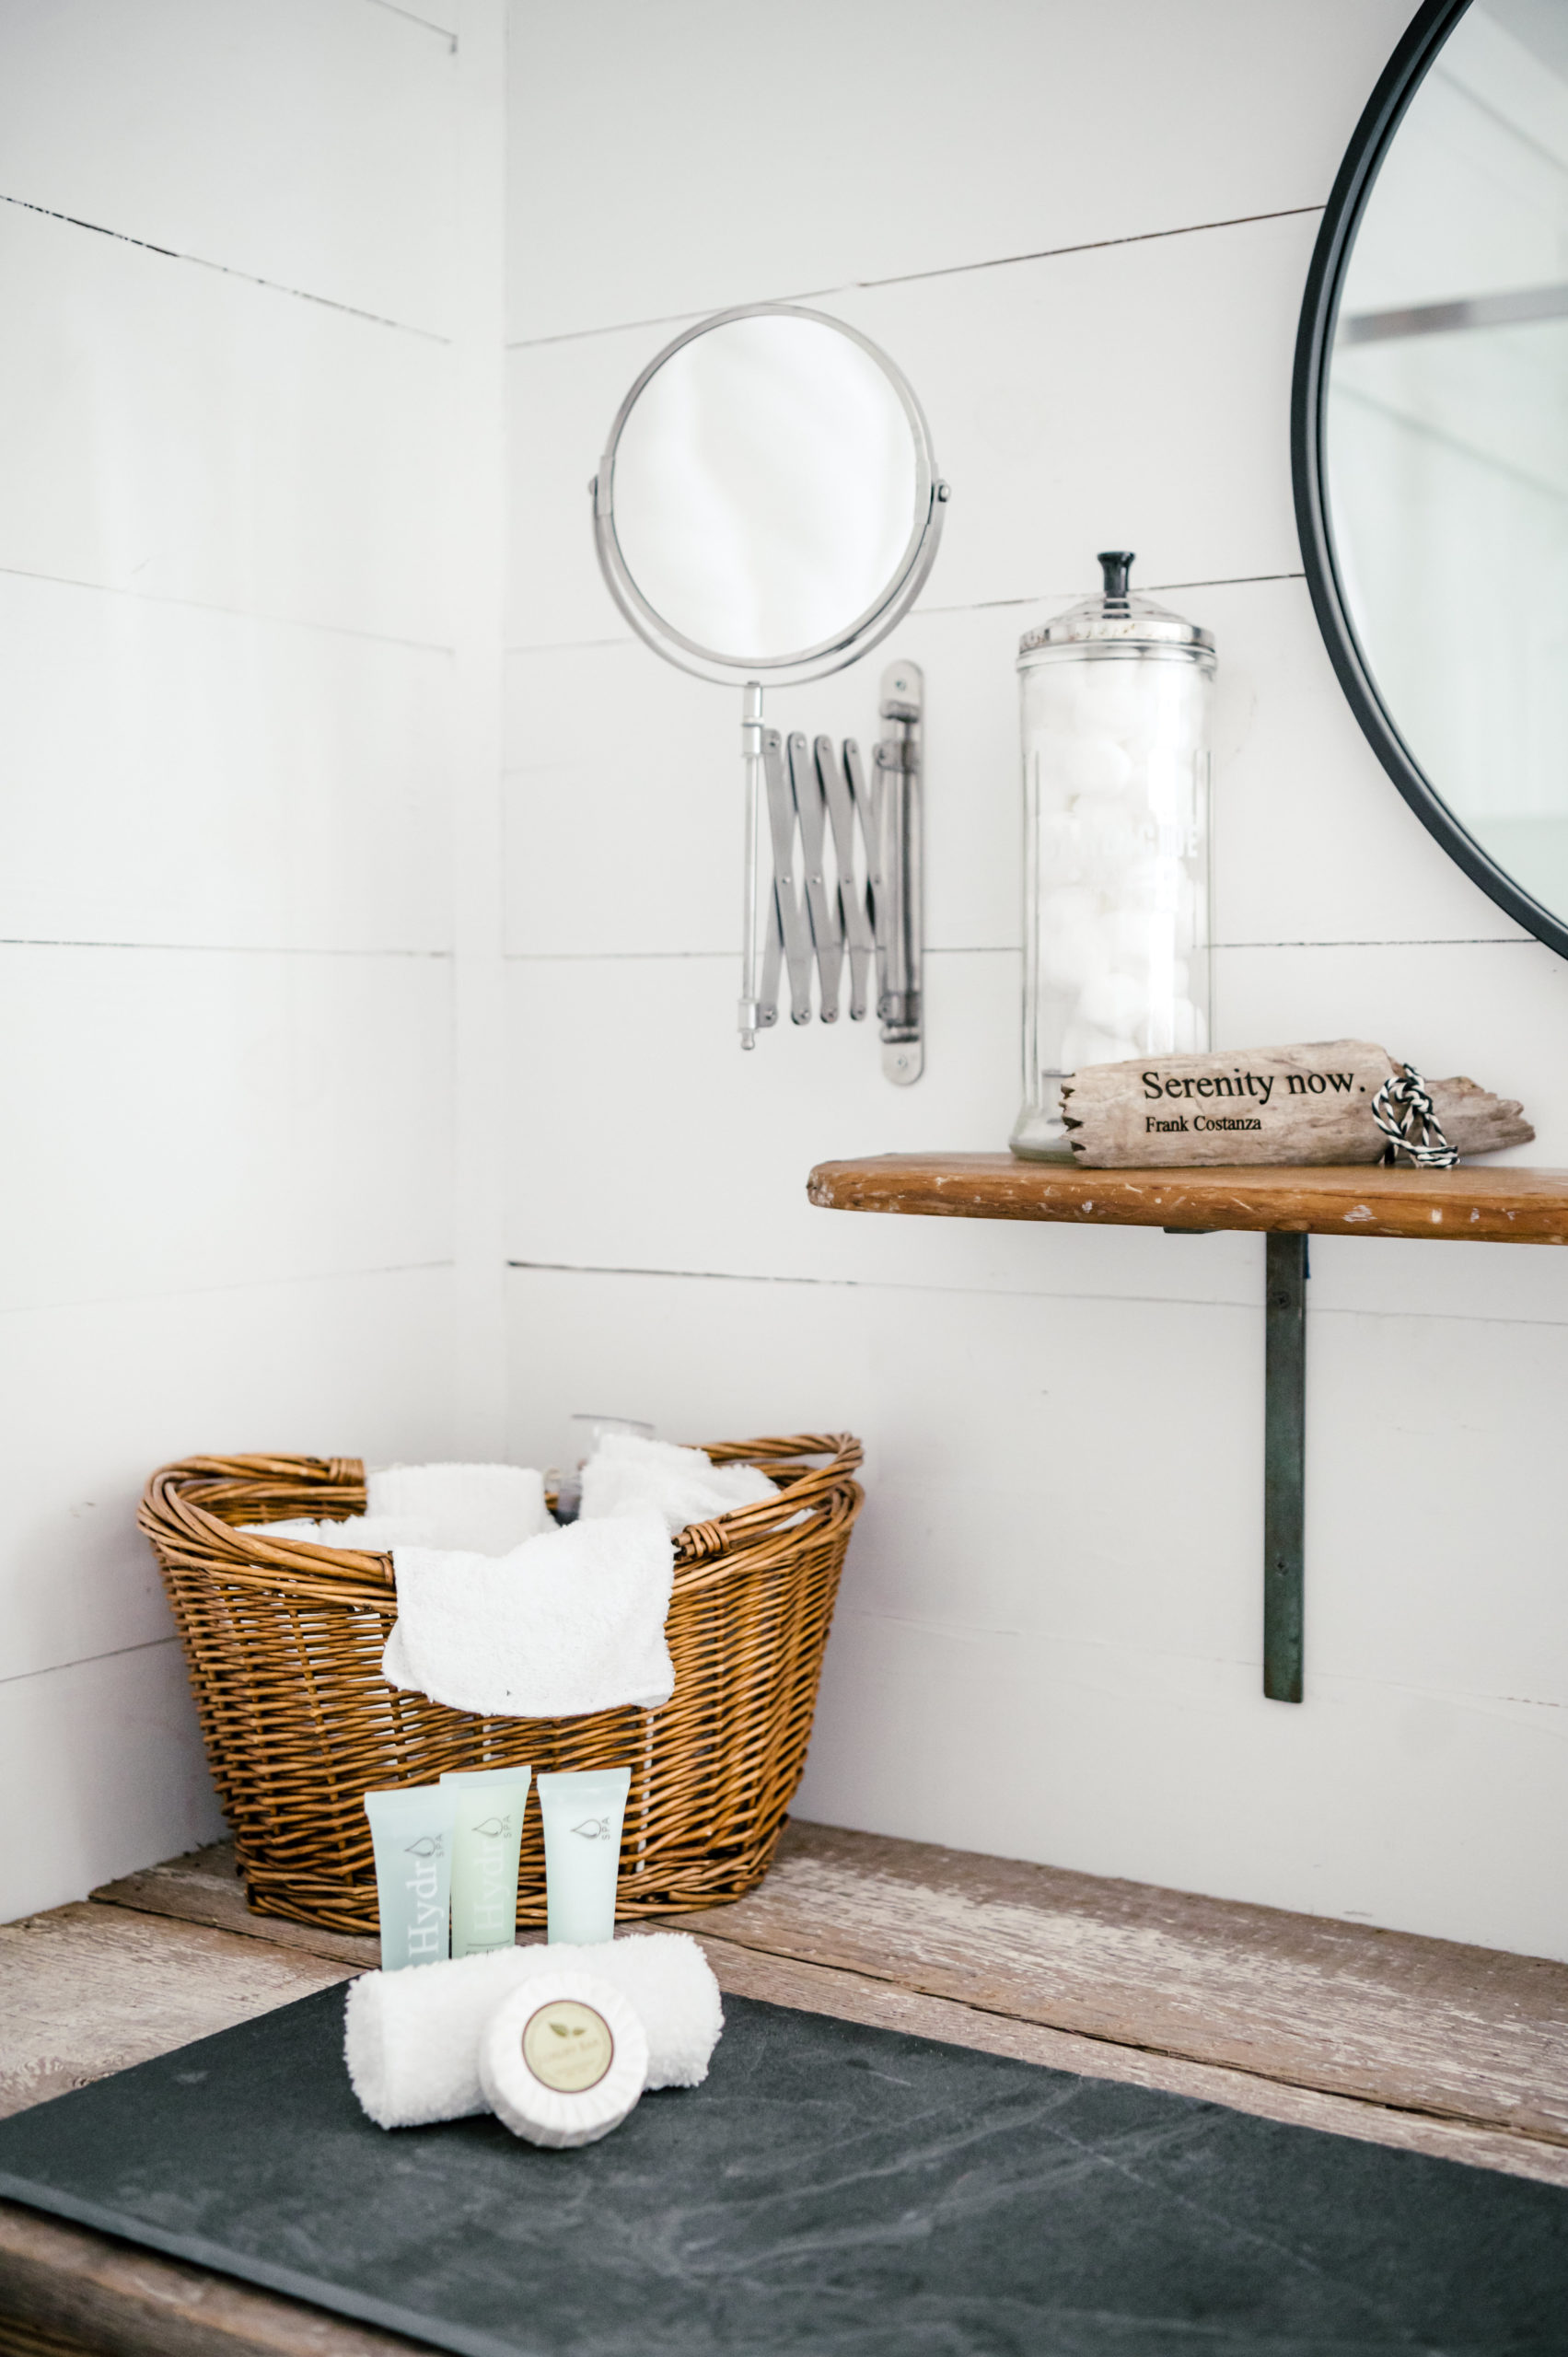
{"points": [[1083, 235]]}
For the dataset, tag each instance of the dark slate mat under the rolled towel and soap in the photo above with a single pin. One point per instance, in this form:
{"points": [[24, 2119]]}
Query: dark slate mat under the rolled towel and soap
{"points": [[829, 2193]]}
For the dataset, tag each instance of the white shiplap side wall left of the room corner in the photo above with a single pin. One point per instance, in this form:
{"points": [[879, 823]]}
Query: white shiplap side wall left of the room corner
{"points": [[249, 673]]}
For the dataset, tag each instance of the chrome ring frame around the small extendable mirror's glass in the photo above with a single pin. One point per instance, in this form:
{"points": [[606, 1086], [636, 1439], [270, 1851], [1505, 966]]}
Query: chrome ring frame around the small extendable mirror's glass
{"points": [[857, 638]]}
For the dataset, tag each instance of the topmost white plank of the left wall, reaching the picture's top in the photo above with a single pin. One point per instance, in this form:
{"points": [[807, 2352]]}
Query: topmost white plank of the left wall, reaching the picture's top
{"points": [[308, 143]]}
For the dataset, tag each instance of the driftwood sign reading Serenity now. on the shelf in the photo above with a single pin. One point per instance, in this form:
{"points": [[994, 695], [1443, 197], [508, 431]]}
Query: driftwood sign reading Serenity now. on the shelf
{"points": [[1263, 1104]]}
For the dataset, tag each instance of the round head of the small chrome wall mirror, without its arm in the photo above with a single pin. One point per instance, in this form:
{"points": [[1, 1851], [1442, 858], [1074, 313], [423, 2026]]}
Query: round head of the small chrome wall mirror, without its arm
{"points": [[767, 506]]}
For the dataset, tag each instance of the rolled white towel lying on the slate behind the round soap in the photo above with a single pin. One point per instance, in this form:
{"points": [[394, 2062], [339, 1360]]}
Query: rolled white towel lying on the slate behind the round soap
{"points": [[411, 2040]]}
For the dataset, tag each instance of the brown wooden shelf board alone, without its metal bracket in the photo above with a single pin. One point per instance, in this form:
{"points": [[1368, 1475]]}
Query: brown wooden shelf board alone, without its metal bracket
{"points": [[1463, 1206]]}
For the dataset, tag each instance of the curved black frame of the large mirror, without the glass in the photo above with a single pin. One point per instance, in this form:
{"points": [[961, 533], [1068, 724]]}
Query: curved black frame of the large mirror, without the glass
{"points": [[1385, 112]]}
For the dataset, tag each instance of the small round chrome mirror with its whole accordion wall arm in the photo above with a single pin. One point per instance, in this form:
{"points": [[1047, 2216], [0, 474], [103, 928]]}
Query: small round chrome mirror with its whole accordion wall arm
{"points": [[765, 513]]}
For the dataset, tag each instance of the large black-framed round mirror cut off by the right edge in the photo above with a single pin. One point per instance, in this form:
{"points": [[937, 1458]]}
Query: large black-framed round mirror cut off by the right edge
{"points": [[1432, 440]]}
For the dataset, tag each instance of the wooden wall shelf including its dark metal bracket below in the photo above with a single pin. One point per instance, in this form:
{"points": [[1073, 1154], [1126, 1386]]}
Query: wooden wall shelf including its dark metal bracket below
{"points": [[1286, 1206]]}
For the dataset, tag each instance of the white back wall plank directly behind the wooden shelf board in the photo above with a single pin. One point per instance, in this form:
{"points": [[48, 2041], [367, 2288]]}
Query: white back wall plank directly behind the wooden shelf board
{"points": [[725, 1142]]}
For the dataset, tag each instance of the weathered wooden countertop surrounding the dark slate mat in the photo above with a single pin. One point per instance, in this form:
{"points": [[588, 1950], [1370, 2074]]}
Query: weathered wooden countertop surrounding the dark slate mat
{"points": [[1404, 2042]]}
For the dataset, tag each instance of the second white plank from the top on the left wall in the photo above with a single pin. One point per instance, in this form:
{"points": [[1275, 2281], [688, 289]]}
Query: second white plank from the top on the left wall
{"points": [[183, 435]]}
